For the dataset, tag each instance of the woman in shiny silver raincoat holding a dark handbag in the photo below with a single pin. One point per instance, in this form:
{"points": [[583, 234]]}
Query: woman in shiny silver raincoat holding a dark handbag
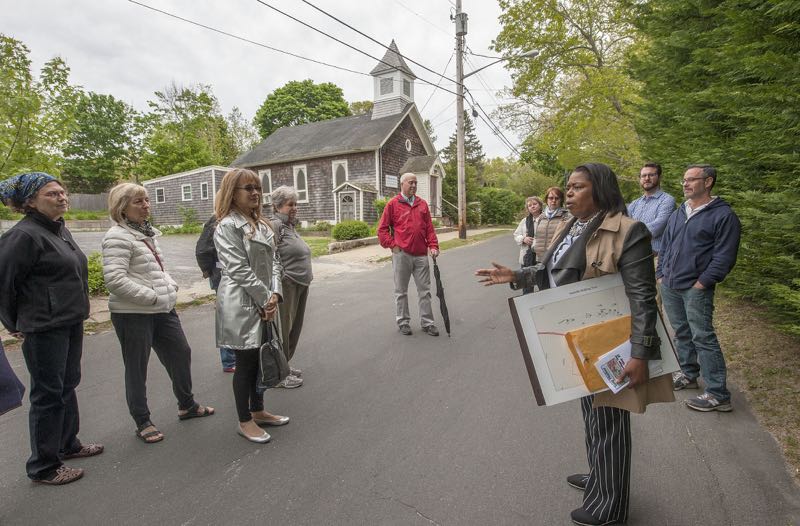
{"points": [[248, 293]]}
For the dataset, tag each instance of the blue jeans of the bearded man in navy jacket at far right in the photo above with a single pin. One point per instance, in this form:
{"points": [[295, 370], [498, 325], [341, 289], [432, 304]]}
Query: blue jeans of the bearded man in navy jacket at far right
{"points": [[690, 313]]}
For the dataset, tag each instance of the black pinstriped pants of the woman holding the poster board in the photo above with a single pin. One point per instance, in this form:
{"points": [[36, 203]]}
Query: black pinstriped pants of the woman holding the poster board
{"points": [[608, 448]]}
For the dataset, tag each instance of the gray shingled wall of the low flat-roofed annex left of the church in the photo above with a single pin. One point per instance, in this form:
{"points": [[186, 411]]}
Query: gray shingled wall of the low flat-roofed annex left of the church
{"points": [[168, 212]]}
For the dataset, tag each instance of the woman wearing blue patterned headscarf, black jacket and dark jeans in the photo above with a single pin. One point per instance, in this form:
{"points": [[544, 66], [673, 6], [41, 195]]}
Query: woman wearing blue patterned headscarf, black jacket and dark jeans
{"points": [[44, 279]]}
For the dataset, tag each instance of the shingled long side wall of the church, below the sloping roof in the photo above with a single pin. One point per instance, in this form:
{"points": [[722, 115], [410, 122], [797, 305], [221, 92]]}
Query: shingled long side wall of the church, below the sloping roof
{"points": [[320, 206]]}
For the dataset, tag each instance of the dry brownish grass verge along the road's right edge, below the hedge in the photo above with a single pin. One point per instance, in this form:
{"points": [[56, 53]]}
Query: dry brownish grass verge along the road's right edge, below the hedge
{"points": [[765, 364]]}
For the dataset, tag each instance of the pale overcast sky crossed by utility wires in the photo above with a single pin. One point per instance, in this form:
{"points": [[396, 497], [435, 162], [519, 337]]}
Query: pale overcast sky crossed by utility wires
{"points": [[117, 47]]}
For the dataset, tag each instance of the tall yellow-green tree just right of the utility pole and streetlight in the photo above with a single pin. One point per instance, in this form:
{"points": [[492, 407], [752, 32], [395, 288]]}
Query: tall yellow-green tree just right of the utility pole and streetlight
{"points": [[575, 98]]}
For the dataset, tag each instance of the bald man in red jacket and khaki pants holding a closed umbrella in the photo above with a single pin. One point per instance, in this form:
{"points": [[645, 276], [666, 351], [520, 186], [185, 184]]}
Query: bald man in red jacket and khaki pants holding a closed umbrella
{"points": [[407, 230]]}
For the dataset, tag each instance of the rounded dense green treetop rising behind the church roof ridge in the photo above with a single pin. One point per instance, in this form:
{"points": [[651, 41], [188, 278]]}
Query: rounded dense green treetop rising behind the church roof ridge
{"points": [[300, 102]]}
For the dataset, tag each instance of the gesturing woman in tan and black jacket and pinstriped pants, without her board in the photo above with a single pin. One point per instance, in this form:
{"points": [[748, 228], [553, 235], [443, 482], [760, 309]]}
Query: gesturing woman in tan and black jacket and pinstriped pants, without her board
{"points": [[600, 239]]}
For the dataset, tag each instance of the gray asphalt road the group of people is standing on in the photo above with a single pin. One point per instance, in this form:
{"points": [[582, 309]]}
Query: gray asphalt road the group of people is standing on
{"points": [[388, 429]]}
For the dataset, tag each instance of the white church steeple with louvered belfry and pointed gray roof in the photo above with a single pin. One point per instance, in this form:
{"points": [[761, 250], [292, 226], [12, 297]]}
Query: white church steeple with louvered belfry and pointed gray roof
{"points": [[393, 83]]}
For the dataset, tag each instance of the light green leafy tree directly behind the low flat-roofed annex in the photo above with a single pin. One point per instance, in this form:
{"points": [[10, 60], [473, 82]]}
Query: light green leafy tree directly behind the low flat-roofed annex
{"points": [[187, 131]]}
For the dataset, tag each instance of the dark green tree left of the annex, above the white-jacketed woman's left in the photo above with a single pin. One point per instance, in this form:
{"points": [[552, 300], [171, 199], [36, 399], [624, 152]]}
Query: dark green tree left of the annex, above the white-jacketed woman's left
{"points": [[98, 151]]}
